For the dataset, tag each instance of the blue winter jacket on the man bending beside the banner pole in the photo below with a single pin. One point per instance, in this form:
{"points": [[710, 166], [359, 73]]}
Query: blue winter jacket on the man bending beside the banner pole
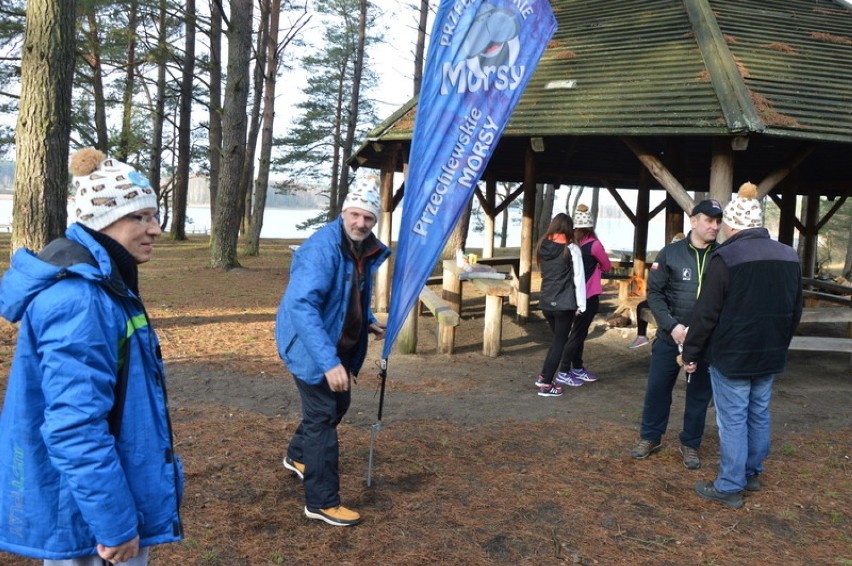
{"points": [[312, 312]]}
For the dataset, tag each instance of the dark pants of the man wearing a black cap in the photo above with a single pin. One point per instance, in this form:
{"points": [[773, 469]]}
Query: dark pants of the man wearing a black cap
{"points": [[662, 377]]}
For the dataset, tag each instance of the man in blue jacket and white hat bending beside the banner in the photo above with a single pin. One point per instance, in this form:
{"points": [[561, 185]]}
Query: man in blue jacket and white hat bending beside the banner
{"points": [[321, 332]]}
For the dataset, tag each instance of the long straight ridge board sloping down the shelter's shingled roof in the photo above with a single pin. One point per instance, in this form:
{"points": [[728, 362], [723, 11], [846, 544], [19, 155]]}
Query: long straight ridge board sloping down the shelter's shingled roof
{"points": [[734, 98]]}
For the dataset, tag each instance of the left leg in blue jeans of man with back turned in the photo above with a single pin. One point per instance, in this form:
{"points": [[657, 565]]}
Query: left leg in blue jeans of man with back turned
{"points": [[732, 400]]}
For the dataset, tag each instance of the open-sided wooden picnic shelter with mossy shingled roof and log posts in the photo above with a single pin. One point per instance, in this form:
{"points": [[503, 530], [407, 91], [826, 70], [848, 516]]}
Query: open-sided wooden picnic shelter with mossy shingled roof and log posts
{"points": [[680, 95]]}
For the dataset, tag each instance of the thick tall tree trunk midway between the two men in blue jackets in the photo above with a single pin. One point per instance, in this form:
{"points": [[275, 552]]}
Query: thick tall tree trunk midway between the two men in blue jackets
{"points": [[226, 219]]}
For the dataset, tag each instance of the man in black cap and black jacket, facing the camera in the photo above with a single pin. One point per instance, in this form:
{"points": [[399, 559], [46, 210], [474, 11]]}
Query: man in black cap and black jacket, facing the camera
{"points": [[674, 284]]}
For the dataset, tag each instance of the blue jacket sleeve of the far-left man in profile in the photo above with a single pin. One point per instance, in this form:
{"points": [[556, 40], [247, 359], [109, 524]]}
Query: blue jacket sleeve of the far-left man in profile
{"points": [[78, 342]]}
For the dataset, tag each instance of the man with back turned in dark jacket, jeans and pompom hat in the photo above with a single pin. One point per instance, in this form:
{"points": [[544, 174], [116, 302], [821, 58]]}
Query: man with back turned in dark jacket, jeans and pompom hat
{"points": [[742, 325]]}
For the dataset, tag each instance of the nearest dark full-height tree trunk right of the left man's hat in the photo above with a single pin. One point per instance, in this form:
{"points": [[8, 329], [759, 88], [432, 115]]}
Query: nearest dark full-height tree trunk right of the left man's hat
{"points": [[181, 188]]}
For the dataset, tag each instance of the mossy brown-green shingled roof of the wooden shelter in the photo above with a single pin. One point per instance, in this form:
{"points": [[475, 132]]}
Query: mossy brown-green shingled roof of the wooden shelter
{"points": [[676, 74]]}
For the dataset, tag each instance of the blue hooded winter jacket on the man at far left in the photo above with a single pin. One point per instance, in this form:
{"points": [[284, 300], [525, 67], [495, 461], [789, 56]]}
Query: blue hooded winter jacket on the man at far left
{"points": [[66, 483]]}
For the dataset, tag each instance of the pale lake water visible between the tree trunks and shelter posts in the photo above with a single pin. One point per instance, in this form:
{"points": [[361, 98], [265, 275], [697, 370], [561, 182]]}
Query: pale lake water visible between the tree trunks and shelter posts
{"points": [[614, 233]]}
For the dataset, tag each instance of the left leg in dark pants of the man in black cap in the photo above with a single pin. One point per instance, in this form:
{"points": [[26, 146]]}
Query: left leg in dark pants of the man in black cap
{"points": [[662, 376]]}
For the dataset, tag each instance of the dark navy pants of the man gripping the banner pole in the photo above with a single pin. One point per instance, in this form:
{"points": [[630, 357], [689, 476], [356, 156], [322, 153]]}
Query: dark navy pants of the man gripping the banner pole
{"points": [[315, 442]]}
